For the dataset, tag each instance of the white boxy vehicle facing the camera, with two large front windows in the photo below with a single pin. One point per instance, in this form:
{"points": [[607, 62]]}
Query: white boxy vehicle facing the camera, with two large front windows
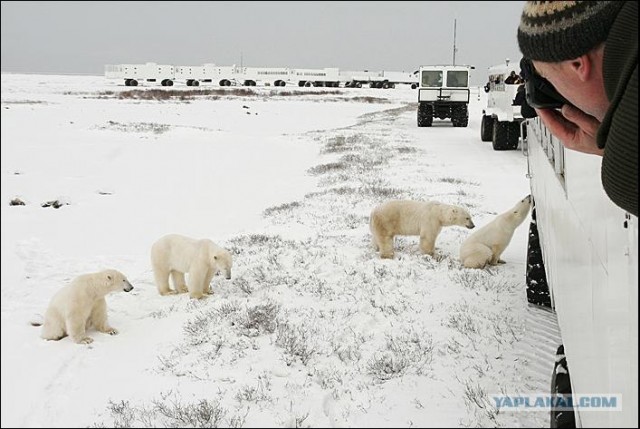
{"points": [[443, 92]]}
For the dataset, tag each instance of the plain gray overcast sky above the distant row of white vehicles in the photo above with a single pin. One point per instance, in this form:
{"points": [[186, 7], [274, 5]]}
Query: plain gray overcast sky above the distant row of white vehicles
{"points": [[81, 37]]}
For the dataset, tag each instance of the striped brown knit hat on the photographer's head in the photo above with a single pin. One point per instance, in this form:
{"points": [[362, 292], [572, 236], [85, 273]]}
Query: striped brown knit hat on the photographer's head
{"points": [[554, 31]]}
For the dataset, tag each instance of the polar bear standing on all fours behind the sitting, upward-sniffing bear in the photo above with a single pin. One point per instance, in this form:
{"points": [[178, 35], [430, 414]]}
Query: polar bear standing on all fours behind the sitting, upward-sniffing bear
{"points": [[406, 217]]}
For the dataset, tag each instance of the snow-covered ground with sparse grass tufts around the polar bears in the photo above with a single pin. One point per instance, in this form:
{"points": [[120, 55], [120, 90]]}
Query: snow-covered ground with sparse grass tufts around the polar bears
{"points": [[313, 329]]}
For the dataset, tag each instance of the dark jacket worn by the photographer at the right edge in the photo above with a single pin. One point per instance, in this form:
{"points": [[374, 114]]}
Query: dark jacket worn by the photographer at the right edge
{"points": [[618, 134]]}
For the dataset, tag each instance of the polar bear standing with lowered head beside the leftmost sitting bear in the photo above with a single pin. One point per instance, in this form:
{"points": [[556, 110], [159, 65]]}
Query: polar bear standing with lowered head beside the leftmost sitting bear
{"points": [[176, 255]]}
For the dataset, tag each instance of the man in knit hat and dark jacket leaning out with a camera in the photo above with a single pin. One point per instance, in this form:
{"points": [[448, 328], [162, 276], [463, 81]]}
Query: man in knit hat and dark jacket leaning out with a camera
{"points": [[588, 51]]}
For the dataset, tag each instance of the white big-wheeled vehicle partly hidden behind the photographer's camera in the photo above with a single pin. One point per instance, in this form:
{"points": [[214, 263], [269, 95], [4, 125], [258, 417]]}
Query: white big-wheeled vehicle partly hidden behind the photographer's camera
{"points": [[501, 118]]}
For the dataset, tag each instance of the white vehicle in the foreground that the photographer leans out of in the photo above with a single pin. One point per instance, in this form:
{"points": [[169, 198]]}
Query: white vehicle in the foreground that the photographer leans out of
{"points": [[585, 249]]}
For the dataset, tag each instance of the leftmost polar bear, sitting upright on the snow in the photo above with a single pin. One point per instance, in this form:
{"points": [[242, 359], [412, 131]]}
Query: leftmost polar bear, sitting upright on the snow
{"points": [[81, 305]]}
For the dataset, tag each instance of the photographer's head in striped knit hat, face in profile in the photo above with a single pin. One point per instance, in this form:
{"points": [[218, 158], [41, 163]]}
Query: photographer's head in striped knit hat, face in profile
{"points": [[565, 41]]}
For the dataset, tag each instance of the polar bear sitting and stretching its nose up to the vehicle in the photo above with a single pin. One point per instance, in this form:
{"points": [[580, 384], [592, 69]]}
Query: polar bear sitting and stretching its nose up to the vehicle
{"points": [[486, 244]]}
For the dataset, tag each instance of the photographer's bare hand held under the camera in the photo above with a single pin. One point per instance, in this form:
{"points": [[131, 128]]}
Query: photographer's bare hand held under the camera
{"points": [[574, 128]]}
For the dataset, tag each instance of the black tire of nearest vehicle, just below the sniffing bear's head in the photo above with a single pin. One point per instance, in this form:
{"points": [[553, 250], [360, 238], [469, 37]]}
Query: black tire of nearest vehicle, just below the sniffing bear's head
{"points": [[536, 275]]}
